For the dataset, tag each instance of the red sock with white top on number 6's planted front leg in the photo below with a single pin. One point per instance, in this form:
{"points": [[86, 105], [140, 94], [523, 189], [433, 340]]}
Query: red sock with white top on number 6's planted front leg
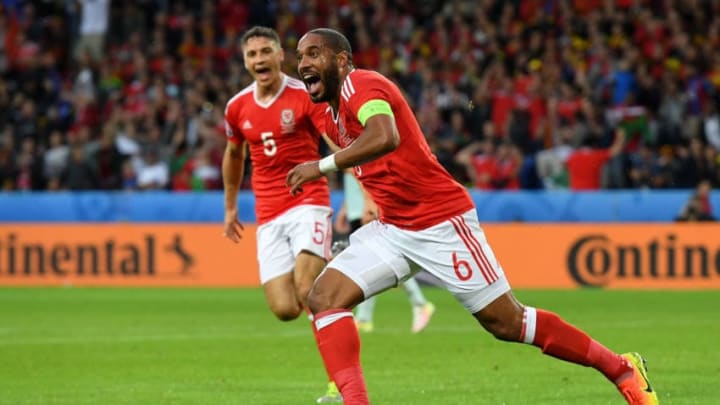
{"points": [[339, 345]]}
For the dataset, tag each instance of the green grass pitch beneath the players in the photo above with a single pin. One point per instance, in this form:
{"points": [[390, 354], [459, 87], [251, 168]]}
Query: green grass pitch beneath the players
{"points": [[222, 346]]}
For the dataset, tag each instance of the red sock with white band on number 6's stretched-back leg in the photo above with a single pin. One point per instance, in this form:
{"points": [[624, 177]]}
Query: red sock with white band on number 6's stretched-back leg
{"points": [[561, 340]]}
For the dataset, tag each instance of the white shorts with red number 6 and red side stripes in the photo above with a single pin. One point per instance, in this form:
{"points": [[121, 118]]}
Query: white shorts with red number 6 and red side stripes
{"points": [[456, 251]]}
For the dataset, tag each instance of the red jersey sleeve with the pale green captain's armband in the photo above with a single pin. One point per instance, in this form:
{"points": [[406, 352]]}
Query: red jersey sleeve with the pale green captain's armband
{"points": [[368, 96]]}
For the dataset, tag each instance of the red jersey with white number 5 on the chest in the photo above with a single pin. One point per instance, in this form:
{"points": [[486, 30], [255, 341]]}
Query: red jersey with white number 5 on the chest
{"points": [[281, 133]]}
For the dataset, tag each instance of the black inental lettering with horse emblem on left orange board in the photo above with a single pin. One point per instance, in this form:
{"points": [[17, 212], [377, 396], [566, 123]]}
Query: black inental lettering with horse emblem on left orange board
{"points": [[138, 257]]}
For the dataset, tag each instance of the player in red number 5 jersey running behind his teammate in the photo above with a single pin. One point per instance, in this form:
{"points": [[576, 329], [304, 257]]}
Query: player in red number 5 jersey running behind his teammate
{"points": [[282, 127]]}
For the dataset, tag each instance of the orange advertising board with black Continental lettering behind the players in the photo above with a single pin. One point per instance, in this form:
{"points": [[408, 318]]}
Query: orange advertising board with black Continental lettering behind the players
{"points": [[562, 256]]}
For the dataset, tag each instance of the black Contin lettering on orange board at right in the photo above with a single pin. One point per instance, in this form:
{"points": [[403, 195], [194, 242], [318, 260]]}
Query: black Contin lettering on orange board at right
{"points": [[595, 259]]}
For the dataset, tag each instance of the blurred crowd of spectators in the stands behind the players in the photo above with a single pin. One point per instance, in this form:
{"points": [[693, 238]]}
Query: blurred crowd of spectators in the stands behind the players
{"points": [[523, 94]]}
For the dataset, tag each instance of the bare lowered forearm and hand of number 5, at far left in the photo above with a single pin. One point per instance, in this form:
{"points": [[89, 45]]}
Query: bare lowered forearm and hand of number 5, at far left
{"points": [[233, 171]]}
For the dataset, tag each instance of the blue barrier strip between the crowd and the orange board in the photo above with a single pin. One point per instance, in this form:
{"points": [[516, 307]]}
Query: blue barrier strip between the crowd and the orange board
{"points": [[522, 206]]}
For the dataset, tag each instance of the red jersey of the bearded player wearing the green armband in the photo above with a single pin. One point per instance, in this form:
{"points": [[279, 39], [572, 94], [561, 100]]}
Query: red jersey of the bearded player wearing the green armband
{"points": [[410, 187]]}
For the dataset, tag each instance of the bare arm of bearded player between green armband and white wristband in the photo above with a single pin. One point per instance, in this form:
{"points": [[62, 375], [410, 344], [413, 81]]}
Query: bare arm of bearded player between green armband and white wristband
{"points": [[379, 138]]}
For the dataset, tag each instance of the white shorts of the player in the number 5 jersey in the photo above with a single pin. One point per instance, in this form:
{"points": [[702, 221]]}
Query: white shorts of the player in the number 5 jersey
{"points": [[279, 241]]}
